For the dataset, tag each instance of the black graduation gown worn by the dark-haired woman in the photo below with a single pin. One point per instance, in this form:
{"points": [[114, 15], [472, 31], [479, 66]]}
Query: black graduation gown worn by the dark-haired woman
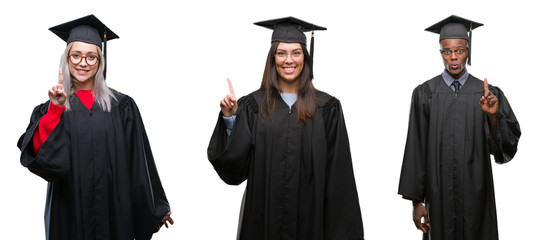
{"points": [[300, 177]]}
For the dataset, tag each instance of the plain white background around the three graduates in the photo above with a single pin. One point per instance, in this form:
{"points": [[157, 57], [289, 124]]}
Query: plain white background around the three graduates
{"points": [[173, 59]]}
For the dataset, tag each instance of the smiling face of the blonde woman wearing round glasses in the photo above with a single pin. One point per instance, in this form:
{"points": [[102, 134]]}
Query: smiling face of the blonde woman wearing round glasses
{"points": [[83, 64]]}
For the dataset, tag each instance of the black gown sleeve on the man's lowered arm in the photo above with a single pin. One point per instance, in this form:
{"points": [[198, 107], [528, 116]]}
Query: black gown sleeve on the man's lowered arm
{"points": [[413, 174]]}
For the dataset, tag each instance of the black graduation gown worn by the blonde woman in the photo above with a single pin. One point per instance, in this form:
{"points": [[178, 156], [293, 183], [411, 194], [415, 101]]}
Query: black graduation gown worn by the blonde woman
{"points": [[103, 183]]}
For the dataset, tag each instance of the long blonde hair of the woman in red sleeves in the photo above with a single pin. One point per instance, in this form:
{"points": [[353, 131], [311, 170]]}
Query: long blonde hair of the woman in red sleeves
{"points": [[101, 92]]}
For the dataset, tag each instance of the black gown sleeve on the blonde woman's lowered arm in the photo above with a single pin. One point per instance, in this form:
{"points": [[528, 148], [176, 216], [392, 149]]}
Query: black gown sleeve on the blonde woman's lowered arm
{"points": [[150, 204]]}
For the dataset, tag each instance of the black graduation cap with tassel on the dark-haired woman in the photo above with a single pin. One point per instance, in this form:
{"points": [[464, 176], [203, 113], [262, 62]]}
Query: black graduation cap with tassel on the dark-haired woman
{"points": [[290, 30]]}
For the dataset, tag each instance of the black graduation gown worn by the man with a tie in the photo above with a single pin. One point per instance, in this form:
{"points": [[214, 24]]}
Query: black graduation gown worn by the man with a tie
{"points": [[447, 158]]}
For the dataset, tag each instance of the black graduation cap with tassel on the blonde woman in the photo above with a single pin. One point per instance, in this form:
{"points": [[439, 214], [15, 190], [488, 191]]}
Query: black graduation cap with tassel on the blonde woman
{"points": [[86, 29]]}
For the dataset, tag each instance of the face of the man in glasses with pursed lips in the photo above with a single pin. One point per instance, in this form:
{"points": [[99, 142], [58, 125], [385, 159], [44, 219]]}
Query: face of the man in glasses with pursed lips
{"points": [[454, 53]]}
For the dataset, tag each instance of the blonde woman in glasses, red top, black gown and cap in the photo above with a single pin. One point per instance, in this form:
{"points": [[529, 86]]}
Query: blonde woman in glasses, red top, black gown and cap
{"points": [[88, 141]]}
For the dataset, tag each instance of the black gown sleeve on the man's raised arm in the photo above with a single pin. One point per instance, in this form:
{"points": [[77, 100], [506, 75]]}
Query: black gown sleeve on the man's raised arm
{"points": [[504, 146]]}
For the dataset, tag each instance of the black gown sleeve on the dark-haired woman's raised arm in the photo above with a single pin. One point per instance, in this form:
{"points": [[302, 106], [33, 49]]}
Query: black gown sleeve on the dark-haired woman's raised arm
{"points": [[230, 155]]}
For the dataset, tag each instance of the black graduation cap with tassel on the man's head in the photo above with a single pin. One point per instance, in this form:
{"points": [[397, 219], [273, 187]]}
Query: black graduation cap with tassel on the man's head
{"points": [[455, 27]]}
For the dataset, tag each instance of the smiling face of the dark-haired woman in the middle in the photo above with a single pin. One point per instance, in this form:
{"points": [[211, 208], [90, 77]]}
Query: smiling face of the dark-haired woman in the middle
{"points": [[289, 61]]}
